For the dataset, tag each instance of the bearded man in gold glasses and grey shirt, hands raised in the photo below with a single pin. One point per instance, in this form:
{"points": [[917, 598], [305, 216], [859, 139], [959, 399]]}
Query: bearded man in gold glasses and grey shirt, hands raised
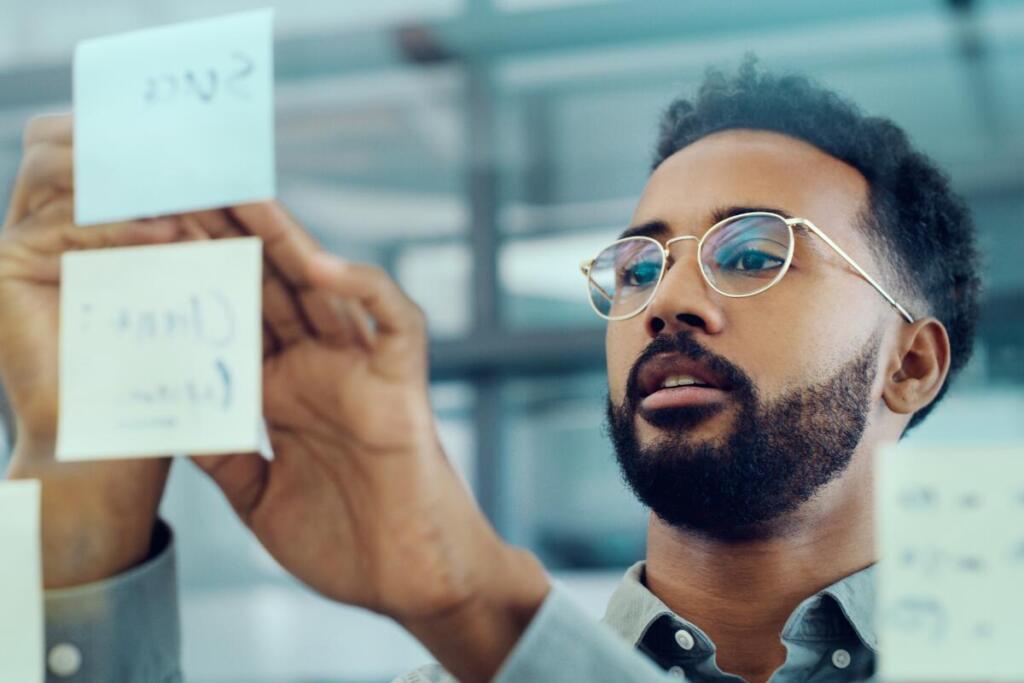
{"points": [[799, 287]]}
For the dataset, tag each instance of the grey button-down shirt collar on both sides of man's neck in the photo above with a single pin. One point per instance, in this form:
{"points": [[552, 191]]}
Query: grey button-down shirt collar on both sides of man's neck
{"points": [[847, 604]]}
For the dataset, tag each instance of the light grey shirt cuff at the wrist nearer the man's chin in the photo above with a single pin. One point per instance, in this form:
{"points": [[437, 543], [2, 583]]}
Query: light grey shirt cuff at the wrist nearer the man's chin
{"points": [[564, 644]]}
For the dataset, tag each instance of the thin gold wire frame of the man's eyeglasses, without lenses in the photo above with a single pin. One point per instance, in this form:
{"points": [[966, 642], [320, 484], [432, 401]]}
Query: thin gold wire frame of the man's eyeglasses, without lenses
{"points": [[587, 267]]}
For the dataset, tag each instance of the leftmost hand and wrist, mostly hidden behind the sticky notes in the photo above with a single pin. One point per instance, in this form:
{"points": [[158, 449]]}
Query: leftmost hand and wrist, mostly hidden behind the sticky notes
{"points": [[98, 519]]}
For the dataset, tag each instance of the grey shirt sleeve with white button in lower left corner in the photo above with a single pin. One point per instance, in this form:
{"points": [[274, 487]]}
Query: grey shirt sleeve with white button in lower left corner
{"points": [[121, 630]]}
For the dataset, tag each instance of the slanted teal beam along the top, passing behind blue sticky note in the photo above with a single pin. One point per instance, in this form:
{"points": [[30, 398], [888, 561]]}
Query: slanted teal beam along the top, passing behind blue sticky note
{"points": [[488, 36]]}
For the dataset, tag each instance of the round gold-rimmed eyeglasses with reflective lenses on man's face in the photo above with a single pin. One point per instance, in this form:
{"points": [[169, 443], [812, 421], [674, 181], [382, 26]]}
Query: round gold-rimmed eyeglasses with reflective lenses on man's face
{"points": [[741, 257]]}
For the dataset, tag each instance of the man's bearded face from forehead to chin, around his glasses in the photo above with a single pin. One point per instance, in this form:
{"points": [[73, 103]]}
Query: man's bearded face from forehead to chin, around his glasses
{"points": [[797, 365]]}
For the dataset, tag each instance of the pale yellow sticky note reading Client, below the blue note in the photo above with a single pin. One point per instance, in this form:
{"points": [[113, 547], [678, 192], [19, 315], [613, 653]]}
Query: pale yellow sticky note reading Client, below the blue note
{"points": [[161, 351]]}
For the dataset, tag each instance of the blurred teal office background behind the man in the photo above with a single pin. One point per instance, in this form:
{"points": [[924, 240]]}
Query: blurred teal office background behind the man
{"points": [[473, 146]]}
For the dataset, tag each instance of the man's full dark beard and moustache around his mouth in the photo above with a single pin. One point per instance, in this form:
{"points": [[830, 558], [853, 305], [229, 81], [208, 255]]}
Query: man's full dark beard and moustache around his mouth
{"points": [[744, 486]]}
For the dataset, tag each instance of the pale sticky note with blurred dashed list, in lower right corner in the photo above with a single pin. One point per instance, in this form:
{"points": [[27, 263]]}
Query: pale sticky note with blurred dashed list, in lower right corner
{"points": [[951, 529]]}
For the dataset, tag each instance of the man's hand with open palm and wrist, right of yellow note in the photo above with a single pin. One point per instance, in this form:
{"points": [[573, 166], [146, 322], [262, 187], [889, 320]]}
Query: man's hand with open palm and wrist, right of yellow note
{"points": [[361, 502]]}
